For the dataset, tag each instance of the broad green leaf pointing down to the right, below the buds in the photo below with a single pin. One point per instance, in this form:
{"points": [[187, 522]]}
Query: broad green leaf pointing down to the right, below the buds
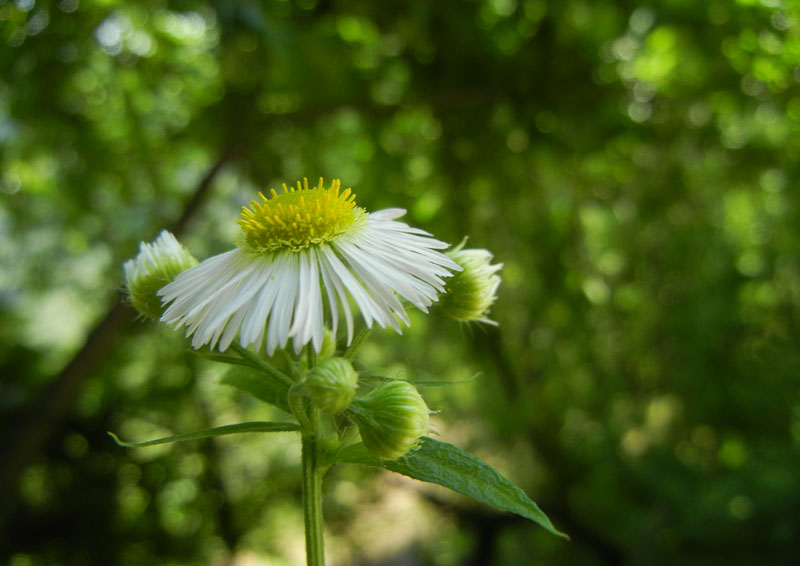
{"points": [[449, 466]]}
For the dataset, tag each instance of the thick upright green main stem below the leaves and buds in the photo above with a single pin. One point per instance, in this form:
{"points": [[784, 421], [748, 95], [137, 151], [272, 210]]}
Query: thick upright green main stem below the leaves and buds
{"points": [[312, 502]]}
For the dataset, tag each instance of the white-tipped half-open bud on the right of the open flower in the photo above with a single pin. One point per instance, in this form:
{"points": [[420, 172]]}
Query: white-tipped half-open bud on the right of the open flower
{"points": [[471, 292]]}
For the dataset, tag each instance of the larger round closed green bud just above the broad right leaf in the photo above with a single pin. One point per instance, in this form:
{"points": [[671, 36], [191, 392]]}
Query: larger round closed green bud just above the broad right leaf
{"points": [[391, 419]]}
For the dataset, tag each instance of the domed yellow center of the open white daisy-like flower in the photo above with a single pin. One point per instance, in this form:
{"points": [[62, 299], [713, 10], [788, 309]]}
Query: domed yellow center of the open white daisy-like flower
{"points": [[299, 217]]}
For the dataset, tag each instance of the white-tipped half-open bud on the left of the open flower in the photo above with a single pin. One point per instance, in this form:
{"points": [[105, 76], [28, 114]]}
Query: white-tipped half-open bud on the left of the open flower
{"points": [[156, 265]]}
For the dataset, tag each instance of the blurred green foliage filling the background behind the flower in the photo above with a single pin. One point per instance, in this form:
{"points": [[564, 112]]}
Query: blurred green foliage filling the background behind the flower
{"points": [[633, 164]]}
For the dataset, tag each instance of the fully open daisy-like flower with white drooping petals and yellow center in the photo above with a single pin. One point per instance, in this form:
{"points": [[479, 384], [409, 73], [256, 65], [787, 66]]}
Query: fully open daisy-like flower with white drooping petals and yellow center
{"points": [[295, 247]]}
